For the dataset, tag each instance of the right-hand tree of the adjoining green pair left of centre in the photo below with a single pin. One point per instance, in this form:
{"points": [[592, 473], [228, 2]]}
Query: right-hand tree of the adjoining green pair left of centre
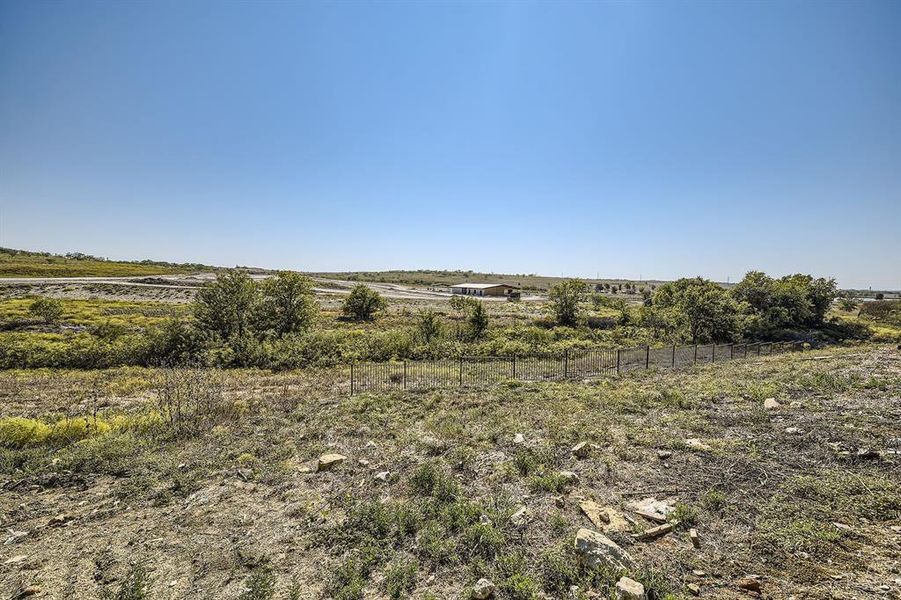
{"points": [[287, 304]]}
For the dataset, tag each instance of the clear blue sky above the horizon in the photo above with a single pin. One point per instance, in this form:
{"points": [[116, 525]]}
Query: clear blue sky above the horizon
{"points": [[627, 139]]}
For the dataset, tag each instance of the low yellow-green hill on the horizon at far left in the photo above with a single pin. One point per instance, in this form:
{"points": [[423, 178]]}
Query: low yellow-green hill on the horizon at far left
{"points": [[23, 263]]}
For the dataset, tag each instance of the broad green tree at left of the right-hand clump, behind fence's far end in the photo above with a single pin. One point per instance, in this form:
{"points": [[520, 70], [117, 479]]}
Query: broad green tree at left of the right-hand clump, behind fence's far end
{"points": [[709, 312]]}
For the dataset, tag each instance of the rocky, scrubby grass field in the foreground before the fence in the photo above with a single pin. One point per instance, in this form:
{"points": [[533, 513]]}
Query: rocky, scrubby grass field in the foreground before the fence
{"points": [[806, 495]]}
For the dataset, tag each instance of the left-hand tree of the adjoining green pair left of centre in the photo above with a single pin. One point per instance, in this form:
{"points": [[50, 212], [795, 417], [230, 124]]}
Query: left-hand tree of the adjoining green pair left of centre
{"points": [[225, 307]]}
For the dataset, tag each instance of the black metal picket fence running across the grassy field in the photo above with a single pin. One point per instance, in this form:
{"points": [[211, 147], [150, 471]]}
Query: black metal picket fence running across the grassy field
{"points": [[484, 370]]}
